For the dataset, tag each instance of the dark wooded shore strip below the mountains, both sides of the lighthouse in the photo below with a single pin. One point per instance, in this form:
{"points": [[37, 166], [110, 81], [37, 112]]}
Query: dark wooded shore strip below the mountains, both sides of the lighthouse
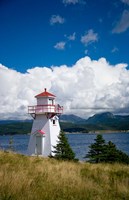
{"points": [[24, 127]]}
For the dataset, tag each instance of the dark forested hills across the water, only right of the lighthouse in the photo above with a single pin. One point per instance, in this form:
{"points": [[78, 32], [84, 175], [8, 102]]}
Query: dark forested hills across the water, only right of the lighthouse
{"points": [[102, 121]]}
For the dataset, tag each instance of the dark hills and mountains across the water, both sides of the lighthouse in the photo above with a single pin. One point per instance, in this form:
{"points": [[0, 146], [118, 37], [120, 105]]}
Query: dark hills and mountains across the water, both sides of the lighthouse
{"points": [[72, 123]]}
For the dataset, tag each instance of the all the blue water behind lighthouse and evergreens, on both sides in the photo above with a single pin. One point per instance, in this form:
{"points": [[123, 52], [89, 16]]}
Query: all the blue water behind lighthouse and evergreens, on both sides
{"points": [[79, 142]]}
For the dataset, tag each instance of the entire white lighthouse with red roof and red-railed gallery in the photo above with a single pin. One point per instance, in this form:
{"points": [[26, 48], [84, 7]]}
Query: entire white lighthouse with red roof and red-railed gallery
{"points": [[45, 128]]}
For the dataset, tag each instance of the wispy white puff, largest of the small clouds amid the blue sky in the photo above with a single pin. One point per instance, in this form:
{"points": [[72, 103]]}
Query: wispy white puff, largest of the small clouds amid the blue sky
{"points": [[89, 37]]}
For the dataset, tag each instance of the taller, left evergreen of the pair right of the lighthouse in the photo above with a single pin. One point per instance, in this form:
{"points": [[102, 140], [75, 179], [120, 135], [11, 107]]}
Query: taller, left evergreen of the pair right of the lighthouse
{"points": [[97, 150]]}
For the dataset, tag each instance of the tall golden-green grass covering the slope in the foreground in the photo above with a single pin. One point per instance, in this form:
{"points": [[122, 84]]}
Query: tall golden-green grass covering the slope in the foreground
{"points": [[35, 178]]}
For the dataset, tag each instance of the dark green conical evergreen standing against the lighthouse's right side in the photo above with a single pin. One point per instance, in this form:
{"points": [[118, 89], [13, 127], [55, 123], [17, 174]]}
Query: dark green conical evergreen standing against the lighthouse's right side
{"points": [[63, 150]]}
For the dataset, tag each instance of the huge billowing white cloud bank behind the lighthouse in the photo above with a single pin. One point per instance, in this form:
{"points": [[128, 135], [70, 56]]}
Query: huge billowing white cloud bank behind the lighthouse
{"points": [[86, 88]]}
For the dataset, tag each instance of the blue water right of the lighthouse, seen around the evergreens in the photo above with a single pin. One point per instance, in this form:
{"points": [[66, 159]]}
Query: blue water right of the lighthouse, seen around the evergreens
{"points": [[80, 142]]}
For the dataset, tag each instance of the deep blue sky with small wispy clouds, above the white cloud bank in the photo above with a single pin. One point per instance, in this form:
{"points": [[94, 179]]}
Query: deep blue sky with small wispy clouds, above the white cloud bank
{"points": [[45, 33]]}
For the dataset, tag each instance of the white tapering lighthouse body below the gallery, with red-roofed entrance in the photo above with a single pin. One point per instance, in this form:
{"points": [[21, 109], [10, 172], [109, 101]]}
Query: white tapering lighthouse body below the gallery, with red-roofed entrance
{"points": [[44, 136]]}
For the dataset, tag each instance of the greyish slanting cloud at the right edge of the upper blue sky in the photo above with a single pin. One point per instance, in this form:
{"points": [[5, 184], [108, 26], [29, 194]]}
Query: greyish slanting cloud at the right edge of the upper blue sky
{"points": [[123, 24]]}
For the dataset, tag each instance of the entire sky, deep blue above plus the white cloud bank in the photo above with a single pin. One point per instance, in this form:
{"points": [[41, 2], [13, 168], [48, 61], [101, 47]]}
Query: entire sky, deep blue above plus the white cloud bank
{"points": [[77, 49]]}
